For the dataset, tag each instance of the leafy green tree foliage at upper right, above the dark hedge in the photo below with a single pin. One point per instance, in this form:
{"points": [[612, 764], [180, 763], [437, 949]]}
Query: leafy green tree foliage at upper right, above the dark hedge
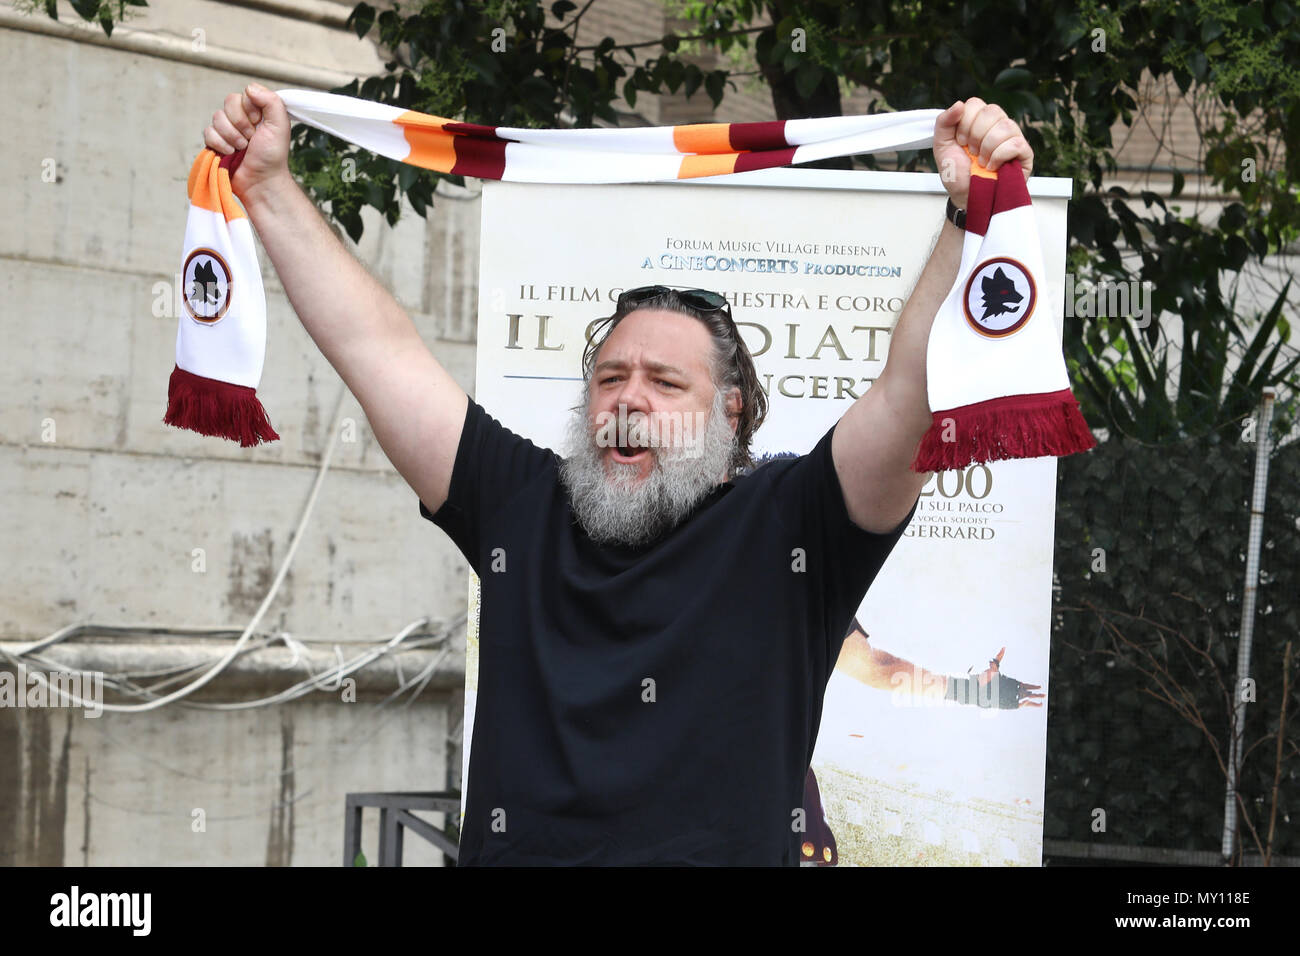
{"points": [[1069, 76]]}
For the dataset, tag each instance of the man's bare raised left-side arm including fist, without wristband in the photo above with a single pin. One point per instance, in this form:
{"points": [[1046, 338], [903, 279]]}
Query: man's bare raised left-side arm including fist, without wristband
{"points": [[414, 405]]}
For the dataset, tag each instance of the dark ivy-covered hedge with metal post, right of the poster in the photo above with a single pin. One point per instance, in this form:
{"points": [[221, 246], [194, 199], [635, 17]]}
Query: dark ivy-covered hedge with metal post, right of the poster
{"points": [[1145, 654]]}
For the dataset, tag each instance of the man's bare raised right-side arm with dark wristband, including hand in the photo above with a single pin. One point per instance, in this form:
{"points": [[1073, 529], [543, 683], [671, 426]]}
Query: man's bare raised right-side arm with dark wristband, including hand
{"points": [[877, 439]]}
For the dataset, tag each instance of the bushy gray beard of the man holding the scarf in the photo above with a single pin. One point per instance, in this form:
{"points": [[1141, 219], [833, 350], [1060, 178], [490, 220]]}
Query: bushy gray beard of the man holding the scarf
{"points": [[613, 509]]}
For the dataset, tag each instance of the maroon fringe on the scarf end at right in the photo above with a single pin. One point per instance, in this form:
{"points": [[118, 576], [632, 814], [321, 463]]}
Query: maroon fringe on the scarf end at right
{"points": [[1002, 429]]}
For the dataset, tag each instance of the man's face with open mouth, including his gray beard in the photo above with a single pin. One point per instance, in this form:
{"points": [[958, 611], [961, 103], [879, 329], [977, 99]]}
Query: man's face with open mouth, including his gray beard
{"points": [[657, 434]]}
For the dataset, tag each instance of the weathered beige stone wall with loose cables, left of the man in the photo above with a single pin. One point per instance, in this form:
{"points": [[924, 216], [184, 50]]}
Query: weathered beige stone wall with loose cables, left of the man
{"points": [[115, 520]]}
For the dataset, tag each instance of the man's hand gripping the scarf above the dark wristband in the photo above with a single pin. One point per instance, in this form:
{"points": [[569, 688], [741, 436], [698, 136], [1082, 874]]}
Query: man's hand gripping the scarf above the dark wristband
{"points": [[987, 133]]}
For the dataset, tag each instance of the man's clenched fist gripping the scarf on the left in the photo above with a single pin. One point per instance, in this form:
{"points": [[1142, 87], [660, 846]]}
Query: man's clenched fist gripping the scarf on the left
{"points": [[257, 123]]}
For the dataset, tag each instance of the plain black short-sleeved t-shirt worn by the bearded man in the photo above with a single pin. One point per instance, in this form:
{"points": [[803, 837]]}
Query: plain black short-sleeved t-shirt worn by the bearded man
{"points": [[656, 706]]}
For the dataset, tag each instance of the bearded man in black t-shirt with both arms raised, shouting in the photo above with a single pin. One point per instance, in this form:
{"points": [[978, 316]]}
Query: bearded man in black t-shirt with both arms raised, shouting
{"points": [[657, 629]]}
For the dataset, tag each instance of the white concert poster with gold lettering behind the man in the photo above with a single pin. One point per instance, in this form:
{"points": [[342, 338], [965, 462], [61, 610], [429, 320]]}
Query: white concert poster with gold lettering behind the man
{"points": [[818, 266]]}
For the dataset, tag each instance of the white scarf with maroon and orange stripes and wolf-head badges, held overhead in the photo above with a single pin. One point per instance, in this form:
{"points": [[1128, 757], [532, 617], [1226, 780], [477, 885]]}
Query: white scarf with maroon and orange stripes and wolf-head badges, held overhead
{"points": [[998, 383]]}
